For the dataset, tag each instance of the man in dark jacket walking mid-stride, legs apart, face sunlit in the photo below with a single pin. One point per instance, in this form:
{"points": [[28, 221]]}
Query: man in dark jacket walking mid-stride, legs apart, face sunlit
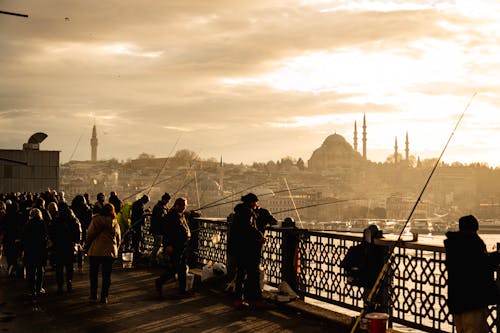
{"points": [[177, 246]]}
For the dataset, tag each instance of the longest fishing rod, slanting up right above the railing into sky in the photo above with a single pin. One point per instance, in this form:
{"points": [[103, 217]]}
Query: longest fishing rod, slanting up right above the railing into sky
{"points": [[385, 268]]}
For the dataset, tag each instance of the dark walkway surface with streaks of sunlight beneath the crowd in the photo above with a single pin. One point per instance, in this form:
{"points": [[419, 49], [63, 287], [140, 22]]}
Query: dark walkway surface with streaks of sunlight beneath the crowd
{"points": [[134, 306]]}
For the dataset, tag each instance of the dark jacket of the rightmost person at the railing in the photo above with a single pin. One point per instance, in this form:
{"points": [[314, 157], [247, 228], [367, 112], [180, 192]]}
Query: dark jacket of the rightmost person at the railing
{"points": [[471, 283]]}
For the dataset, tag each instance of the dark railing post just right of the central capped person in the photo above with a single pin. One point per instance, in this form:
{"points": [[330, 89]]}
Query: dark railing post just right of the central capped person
{"points": [[289, 254]]}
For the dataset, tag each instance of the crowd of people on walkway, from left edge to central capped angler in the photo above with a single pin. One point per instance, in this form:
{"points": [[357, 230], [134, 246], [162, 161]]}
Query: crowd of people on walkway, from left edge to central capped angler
{"points": [[42, 230]]}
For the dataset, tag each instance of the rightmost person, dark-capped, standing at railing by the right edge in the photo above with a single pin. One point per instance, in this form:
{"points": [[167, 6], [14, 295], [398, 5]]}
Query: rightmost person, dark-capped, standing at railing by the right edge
{"points": [[471, 284]]}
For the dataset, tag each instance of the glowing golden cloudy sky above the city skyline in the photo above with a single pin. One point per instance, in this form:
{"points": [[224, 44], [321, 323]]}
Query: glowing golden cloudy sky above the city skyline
{"points": [[251, 81]]}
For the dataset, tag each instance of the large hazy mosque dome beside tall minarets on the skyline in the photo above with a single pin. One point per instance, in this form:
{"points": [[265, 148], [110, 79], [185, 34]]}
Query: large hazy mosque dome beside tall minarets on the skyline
{"points": [[334, 152]]}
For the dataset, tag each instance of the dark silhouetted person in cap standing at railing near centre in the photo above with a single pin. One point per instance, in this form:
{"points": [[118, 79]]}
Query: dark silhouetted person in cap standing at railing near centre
{"points": [[246, 243]]}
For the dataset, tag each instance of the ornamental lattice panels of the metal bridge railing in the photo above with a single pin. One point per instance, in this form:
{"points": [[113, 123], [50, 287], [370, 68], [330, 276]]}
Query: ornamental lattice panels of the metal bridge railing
{"points": [[418, 274]]}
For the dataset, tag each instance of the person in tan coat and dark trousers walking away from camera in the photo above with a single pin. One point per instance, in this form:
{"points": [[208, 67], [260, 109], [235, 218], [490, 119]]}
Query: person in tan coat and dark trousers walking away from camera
{"points": [[104, 238]]}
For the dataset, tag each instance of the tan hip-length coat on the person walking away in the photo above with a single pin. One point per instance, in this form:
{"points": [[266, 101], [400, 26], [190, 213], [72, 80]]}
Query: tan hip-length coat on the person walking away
{"points": [[104, 236]]}
